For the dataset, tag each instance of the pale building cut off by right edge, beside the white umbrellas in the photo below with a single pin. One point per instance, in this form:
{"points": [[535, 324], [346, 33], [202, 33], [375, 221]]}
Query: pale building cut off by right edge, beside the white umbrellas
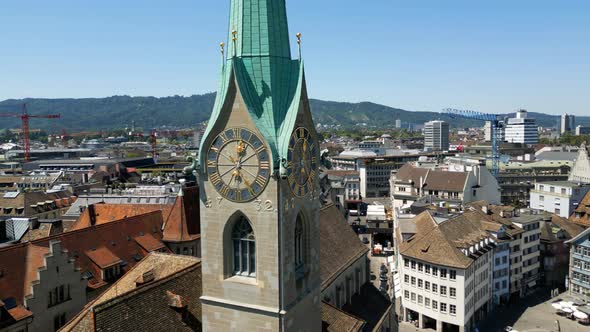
{"points": [[579, 265]]}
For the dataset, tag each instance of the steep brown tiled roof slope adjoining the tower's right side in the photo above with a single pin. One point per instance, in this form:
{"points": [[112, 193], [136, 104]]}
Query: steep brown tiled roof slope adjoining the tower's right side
{"points": [[339, 244]]}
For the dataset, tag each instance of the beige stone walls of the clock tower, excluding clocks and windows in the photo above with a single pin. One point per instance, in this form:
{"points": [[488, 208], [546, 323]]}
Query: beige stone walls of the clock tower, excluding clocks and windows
{"points": [[276, 298]]}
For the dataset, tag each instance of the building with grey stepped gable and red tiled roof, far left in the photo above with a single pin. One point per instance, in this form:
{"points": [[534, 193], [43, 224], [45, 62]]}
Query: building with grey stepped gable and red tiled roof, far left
{"points": [[54, 277]]}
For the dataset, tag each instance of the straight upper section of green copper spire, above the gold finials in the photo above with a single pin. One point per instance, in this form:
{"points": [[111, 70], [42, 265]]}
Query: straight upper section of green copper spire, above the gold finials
{"points": [[260, 28]]}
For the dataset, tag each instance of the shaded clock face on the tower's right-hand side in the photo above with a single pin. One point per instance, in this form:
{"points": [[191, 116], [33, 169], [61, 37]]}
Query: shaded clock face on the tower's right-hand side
{"points": [[302, 162]]}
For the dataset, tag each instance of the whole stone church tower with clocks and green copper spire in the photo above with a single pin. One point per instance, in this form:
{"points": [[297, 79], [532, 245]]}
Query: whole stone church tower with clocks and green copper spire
{"points": [[258, 176]]}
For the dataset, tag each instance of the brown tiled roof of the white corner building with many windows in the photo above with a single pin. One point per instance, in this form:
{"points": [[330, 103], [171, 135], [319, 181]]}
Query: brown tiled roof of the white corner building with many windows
{"points": [[441, 243]]}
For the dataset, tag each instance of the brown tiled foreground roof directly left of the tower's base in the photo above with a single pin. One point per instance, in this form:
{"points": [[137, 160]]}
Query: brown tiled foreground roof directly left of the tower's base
{"points": [[170, 273]]}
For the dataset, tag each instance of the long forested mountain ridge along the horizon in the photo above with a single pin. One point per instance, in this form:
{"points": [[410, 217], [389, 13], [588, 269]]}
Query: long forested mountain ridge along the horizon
{"points": [[178, 111]]}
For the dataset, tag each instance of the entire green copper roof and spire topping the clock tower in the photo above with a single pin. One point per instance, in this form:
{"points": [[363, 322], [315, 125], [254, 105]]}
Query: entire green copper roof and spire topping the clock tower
{"points": [[259, 61]]}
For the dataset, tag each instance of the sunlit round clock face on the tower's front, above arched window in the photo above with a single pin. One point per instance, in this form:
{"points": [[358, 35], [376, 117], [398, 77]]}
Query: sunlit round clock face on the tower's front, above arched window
{"points": [[238, 165]]}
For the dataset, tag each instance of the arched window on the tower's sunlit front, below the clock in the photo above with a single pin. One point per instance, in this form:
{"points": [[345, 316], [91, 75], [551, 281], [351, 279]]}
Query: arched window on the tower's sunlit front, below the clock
{"points": [[244, 248]]}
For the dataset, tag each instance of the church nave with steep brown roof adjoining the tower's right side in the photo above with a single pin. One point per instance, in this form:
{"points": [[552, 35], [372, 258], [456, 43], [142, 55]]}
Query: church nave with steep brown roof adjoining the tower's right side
{"points": [[345, 280]]}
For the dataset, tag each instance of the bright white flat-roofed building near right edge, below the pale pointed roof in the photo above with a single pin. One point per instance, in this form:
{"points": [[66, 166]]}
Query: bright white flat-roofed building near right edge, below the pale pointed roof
{"points": [[559, 197]]}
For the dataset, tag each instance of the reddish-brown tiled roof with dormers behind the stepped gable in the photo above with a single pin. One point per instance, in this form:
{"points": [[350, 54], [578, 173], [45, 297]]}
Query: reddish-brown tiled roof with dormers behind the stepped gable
{"points": [[92, 248]]}
